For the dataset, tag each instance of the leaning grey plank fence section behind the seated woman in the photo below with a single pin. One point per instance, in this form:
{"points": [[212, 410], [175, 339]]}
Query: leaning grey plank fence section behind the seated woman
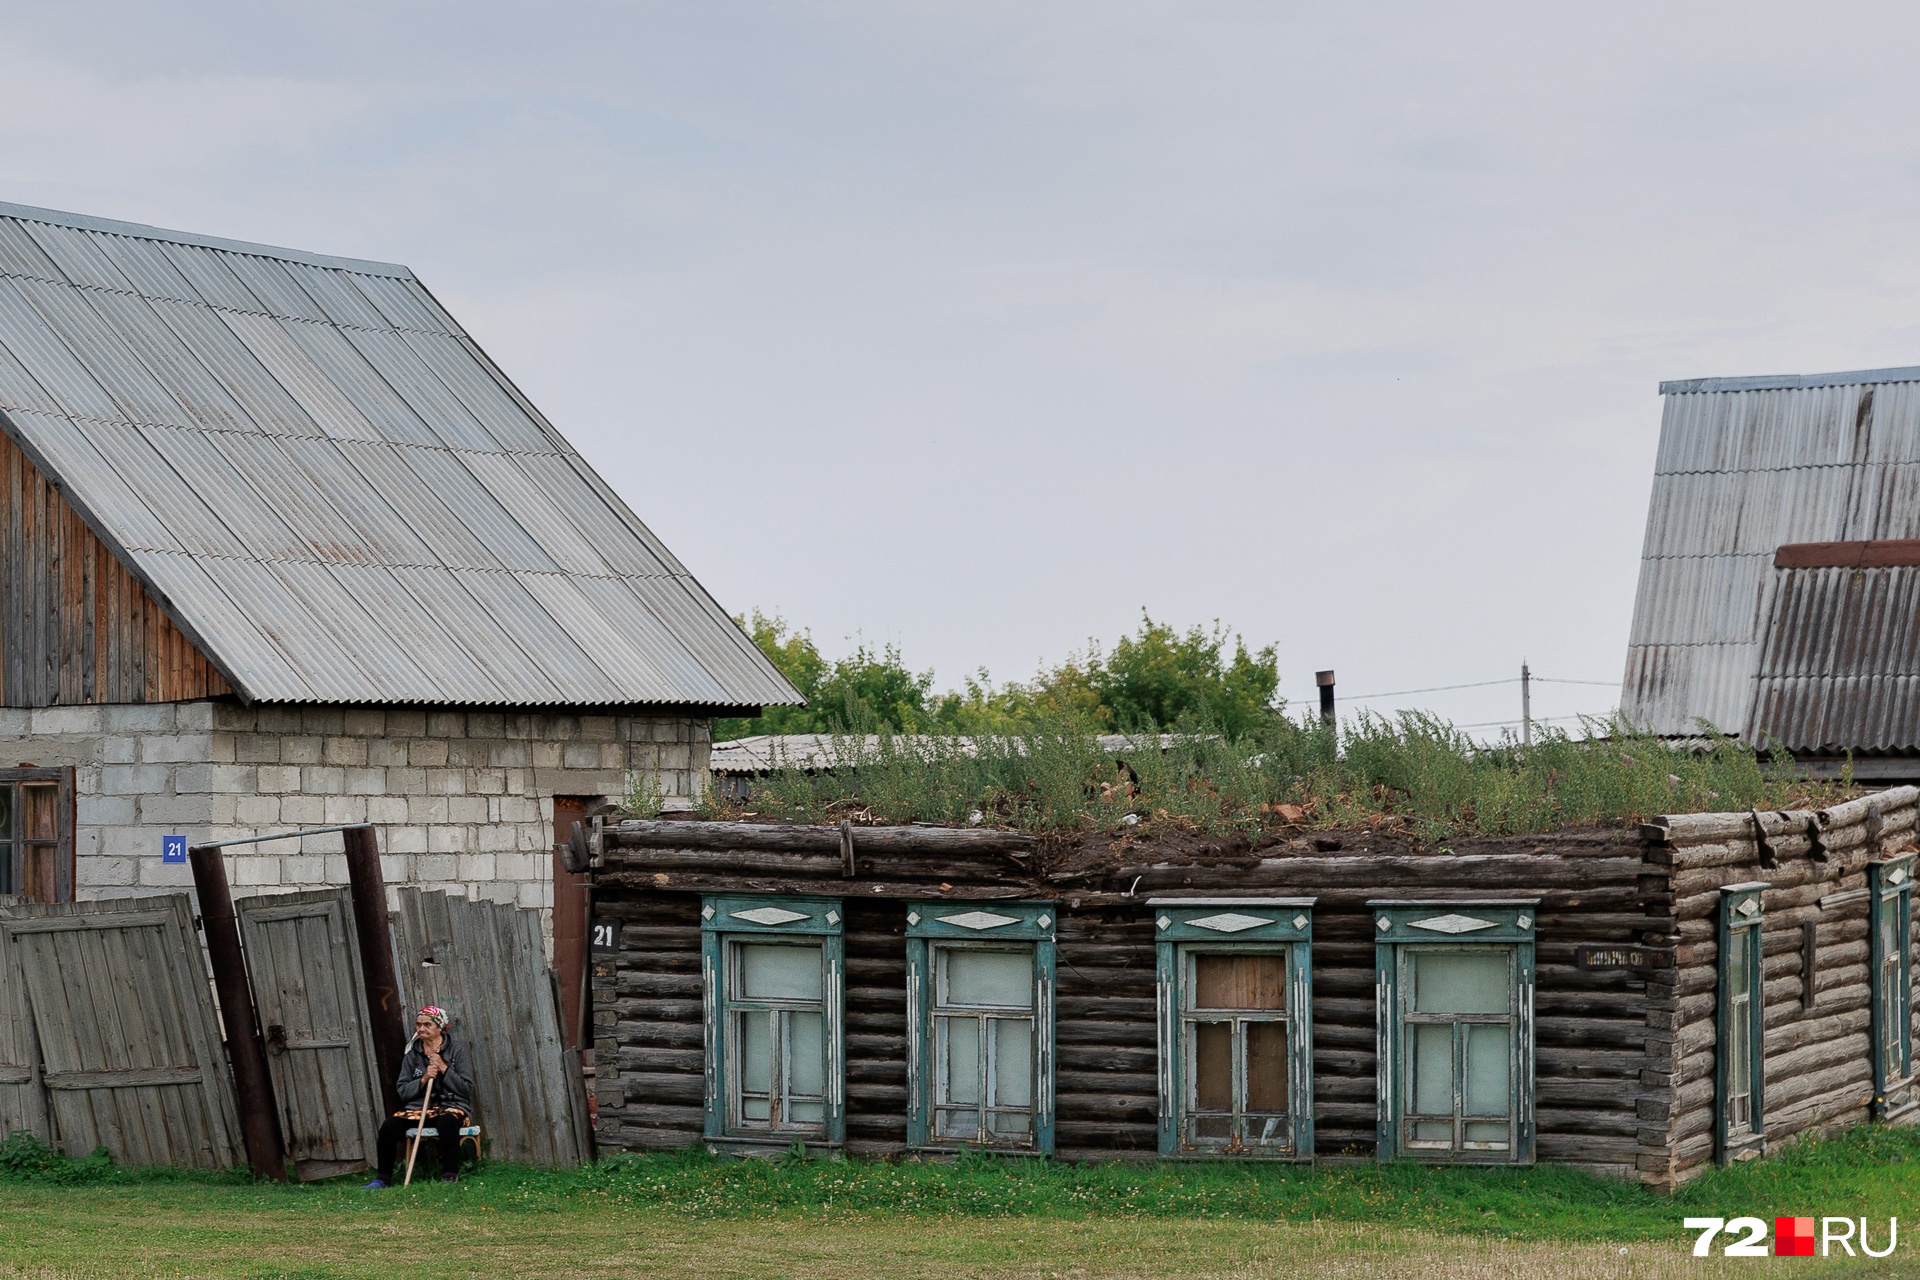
{"points": [[487, 966]]}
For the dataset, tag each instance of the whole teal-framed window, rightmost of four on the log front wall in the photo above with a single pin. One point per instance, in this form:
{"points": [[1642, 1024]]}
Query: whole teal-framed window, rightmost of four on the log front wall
{"points": [[1456, 1031]]}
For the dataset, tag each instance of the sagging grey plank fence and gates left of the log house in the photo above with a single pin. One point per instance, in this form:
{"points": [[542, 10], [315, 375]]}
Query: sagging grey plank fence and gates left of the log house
{"points": [[108, 1031]]}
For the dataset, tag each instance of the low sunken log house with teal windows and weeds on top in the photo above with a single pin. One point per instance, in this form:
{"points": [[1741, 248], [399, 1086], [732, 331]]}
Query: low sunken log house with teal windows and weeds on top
{"points": [[894, 991]]}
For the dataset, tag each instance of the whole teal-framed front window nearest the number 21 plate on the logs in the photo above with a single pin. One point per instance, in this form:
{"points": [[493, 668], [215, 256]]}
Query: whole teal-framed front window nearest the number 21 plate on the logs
{"points": [[775, 985]]}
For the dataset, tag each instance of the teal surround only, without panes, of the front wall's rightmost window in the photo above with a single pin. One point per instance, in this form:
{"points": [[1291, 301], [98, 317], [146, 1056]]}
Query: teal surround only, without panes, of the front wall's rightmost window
{"points": [[1406, 928]]}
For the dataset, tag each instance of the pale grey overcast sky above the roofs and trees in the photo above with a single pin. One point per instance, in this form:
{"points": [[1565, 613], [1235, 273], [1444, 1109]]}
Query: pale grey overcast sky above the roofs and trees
{"points": [[982, 327]]}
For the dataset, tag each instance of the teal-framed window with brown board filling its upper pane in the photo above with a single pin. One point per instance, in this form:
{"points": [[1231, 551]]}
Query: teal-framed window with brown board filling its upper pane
{"points": [[1236, 1010]]}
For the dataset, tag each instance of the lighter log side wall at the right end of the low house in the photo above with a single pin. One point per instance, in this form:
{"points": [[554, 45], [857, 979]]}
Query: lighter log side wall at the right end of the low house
{"points": [[1819, 1062]]}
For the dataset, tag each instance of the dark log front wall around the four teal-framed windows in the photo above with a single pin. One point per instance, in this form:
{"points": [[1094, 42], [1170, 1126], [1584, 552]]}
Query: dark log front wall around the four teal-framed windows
{"points": [[1593, 1026]]}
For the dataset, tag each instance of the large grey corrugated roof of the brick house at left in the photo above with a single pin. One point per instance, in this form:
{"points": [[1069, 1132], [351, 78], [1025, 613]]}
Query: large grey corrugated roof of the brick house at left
{"points": [[331, 488]]}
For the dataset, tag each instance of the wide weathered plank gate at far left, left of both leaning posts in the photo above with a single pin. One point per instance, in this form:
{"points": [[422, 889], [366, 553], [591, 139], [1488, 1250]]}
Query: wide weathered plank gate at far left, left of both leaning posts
{"points": [[130, 1051]]}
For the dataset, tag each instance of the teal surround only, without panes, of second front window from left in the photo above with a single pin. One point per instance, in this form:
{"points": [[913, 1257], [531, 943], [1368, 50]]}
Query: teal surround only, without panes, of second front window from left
{"points": [[976, 926]]}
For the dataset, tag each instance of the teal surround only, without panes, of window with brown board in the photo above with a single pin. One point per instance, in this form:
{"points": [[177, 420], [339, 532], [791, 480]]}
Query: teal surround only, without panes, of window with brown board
{"points": [[1189, 928]]}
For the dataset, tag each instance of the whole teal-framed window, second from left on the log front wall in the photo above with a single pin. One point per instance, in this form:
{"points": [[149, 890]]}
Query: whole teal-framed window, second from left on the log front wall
{"points": [[980, 1026]]}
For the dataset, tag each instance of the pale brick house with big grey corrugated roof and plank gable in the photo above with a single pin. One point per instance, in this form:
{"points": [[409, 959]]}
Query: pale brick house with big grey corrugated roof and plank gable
{"points": [[283, 548]]}
